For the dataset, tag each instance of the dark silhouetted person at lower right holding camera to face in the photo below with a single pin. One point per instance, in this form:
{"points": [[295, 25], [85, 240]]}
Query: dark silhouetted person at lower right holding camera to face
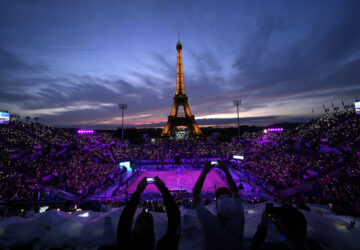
{"points": [[291, 223]]}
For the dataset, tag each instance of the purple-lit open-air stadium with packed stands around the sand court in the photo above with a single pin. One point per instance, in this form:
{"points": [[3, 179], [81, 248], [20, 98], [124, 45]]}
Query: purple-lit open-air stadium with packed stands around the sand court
{"points": [[75, 182]]}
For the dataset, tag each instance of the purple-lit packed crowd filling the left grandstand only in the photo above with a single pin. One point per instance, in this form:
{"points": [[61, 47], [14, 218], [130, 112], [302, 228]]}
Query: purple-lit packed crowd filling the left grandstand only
{"points": [[34, 156]]}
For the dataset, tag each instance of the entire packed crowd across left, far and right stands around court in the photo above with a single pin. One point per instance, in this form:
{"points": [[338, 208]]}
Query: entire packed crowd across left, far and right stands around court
{"points": [[33, 156]]}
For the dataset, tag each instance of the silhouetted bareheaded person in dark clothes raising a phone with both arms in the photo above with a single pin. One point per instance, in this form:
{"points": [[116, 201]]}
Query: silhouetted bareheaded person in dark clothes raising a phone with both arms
{"points": [[142, 237]]}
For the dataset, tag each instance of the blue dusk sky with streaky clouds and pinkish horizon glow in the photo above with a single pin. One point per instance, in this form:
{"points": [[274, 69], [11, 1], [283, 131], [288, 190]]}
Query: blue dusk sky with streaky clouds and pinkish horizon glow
{"points": [[72, 62]]}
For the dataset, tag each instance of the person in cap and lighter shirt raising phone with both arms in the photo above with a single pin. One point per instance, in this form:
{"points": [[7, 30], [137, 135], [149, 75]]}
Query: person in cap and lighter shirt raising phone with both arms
{"points": [[224, 230]]}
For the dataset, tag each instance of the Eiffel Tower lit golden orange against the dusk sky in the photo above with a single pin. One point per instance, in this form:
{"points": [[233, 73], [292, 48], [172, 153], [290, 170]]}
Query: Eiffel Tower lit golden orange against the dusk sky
{"points": [[176, 118]]}
